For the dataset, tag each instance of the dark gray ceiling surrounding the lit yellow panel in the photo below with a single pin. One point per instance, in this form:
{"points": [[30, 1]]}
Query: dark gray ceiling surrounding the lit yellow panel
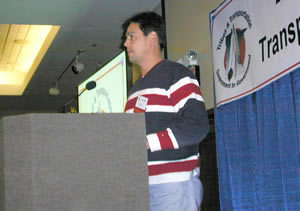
{"points": [[90, 25]]}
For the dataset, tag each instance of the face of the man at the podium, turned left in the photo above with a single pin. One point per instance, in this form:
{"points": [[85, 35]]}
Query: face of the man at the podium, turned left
{"points": [[137, 44]]}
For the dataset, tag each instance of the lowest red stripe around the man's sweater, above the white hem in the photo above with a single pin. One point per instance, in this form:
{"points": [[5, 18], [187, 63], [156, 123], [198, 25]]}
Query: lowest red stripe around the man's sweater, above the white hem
{"points": [[173, 167]]}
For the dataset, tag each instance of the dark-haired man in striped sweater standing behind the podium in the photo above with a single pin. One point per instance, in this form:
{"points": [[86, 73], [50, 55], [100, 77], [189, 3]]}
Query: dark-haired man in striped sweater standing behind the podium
{"points": [[176, 118]]}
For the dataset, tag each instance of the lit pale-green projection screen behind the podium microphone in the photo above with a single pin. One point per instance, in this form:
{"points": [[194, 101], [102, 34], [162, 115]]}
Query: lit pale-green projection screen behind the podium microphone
{"points": [[110, 93]]}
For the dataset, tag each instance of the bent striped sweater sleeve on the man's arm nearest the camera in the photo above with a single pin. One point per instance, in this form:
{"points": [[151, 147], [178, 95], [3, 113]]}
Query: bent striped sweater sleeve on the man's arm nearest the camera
{"points": [[191, 117]]}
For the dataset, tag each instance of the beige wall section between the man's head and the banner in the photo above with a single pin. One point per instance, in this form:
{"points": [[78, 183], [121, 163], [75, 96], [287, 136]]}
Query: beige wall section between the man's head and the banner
{"points": [[188, 28]]}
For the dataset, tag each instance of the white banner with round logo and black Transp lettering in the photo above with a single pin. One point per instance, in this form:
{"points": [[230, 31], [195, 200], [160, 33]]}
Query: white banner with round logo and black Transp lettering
{"points": [[253, 43]]}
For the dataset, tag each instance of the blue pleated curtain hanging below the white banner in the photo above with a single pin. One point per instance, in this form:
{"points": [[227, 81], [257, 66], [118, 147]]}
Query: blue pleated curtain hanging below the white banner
{"points": [[258, 148]]}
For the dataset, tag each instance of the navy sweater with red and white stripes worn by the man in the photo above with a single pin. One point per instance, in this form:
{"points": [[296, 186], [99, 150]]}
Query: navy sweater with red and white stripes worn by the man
{"points": [[176, 120]]}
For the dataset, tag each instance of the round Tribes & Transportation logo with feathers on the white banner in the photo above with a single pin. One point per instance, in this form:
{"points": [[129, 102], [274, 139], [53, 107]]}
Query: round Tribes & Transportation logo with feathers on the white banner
{"points": [[233, 71]]}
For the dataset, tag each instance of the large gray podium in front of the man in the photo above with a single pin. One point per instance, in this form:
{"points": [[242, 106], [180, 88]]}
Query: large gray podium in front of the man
{"points": [[73, 162]]}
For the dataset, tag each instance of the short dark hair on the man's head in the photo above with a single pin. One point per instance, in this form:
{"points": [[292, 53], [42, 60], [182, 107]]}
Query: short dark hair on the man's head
{"points": [[148, 22]]}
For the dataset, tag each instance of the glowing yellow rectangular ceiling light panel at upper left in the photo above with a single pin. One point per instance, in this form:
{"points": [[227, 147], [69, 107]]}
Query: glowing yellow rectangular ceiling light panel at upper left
{"points": [[22, 47]]}
